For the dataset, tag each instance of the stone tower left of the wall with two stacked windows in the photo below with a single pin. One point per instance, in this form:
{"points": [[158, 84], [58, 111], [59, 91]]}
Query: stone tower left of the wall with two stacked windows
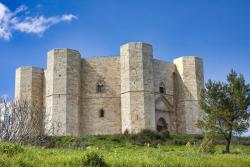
{"points": [[63, 90]]}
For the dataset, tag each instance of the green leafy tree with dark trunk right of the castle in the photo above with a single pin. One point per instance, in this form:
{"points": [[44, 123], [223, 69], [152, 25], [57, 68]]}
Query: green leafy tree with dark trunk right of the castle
{"points": [[226, 107]]}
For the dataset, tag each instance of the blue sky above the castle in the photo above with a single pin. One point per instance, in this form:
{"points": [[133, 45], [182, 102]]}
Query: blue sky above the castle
{"points": [[216, 30]]}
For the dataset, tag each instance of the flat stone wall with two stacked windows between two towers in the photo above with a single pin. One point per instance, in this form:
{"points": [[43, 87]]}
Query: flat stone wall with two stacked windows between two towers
{"points": [[105, 70]]}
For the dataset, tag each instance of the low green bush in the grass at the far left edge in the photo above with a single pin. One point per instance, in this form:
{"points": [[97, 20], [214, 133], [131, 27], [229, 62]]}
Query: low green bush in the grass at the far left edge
{"points": [[10, 149]]}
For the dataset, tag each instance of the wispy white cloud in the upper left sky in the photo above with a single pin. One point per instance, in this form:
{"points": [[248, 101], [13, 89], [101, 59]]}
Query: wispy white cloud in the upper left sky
{"points": [[11, 21]]}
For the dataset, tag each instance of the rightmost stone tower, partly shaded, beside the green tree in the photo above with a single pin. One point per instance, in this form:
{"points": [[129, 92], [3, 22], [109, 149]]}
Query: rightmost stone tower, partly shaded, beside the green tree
{"points": [[188, 83]]}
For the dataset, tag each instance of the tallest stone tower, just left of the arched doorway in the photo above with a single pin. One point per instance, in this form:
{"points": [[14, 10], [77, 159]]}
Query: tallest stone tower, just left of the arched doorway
{"points": [[137, 87]]}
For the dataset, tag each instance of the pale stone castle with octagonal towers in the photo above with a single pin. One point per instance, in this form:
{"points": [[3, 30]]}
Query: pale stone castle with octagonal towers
{"points": [[108, 95]]}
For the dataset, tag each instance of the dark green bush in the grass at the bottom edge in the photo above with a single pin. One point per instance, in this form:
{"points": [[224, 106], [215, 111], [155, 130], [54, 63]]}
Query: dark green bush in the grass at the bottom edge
{"points": [[93, 159]]}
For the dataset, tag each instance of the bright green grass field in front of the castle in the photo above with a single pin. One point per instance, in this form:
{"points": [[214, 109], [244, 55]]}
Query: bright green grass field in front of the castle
{"points": [[118, 152]]}
